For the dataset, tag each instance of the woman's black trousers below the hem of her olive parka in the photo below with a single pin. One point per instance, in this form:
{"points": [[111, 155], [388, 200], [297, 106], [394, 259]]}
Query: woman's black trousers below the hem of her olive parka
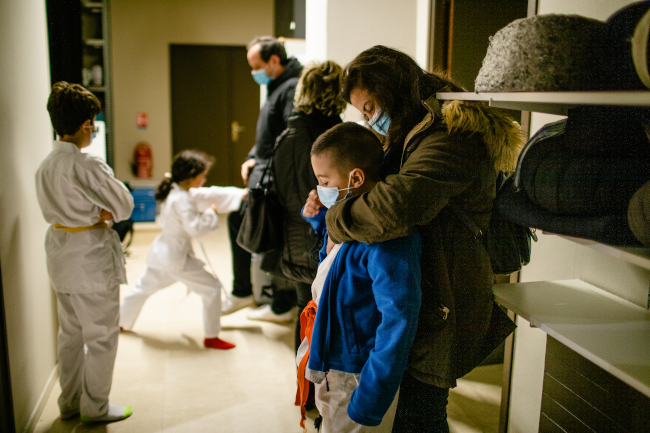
{"points": [[421, 408]]}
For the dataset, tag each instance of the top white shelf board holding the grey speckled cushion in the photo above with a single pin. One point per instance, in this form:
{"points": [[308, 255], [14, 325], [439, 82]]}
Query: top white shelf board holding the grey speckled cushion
{"points": [[552, 102]]}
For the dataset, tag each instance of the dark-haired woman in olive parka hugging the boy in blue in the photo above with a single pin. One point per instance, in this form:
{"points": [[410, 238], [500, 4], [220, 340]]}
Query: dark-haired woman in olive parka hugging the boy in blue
{"points": [[436, 154]]}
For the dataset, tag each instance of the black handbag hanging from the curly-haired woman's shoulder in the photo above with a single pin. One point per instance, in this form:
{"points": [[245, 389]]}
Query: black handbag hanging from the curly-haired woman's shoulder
{"points": [[261, 228]]}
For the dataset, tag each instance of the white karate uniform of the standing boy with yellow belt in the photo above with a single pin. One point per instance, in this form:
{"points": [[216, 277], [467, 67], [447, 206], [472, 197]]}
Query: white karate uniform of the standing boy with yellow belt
{"points": [[86, 269]]}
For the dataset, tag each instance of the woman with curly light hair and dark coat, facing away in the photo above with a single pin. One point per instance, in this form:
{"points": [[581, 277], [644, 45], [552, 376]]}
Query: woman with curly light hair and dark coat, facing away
{"points": [[317, 108]]}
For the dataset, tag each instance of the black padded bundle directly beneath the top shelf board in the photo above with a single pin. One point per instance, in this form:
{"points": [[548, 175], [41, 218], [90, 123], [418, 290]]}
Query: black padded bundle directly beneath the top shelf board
{"points": [[592, 168]]}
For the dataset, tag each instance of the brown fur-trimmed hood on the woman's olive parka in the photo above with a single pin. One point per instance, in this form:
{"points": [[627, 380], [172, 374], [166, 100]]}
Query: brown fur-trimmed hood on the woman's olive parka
{"points": [[502, 135]]}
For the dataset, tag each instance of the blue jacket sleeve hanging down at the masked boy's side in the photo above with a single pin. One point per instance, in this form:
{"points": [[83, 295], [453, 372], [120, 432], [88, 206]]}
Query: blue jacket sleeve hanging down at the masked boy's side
{"points": [[394, 267]]}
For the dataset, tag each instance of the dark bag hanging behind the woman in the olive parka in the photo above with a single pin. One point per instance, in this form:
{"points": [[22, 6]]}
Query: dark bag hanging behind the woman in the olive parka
{"points": [[507, 243]]}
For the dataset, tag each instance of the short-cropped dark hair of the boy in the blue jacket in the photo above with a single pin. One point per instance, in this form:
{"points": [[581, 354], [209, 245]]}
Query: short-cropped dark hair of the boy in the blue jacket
{"points": [[350, 146]]}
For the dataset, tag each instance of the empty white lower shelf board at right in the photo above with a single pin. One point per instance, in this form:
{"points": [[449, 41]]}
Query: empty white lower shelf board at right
{"points": [[607, 330]]}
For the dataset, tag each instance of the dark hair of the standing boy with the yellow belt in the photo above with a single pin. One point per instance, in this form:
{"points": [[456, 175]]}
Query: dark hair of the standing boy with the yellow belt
{"points": [[70, 105]]}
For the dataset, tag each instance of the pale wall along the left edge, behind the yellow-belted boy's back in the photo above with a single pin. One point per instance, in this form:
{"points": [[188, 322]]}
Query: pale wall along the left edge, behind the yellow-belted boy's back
{"points": [[25, 140]]}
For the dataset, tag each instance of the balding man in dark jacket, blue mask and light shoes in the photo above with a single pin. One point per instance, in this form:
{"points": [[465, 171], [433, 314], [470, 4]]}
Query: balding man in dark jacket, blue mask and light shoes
{"points": [[271, 67]]}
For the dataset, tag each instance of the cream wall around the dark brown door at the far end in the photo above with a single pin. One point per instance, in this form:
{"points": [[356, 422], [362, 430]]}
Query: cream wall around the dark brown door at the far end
{"points": [[141, 33]]}
